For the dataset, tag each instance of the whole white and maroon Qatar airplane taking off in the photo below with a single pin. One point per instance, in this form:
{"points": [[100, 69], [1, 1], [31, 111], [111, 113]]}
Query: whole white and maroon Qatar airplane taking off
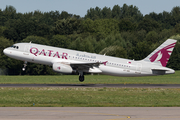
{"points": [[67, 61]]}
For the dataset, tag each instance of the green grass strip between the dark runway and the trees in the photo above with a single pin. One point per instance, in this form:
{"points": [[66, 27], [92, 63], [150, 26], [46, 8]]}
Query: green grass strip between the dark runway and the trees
{"points": [[91, 79]]}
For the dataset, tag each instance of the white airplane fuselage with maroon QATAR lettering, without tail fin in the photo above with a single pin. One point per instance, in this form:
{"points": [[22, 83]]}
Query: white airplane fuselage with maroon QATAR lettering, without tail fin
{"points": [[48, 55]]}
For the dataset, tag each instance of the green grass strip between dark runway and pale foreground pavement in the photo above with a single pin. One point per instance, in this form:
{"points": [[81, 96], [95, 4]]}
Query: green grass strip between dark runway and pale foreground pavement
{"points": [[89, 97]]}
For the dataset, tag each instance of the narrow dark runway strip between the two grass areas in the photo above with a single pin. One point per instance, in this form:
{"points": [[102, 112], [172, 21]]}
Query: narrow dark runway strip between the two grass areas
{"points": [[96, 85]]}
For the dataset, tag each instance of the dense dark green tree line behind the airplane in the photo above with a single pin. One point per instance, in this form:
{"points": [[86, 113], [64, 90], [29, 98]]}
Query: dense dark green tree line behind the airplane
{"points": [[120, 32]]}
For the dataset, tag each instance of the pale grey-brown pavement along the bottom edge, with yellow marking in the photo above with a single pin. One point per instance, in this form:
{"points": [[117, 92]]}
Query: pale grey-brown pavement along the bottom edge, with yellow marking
{"points": [[89, 113]]}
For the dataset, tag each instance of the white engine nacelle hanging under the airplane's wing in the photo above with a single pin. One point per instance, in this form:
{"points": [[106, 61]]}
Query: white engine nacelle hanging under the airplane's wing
{"points": [[62, 68]]}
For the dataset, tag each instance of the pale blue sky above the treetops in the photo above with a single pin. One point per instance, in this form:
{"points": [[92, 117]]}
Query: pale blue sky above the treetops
{"points": [[80, 7]]}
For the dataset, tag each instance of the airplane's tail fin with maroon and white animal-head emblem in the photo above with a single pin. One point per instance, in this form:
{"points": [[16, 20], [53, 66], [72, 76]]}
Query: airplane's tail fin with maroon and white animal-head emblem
{"points": [[162, 54]]}
